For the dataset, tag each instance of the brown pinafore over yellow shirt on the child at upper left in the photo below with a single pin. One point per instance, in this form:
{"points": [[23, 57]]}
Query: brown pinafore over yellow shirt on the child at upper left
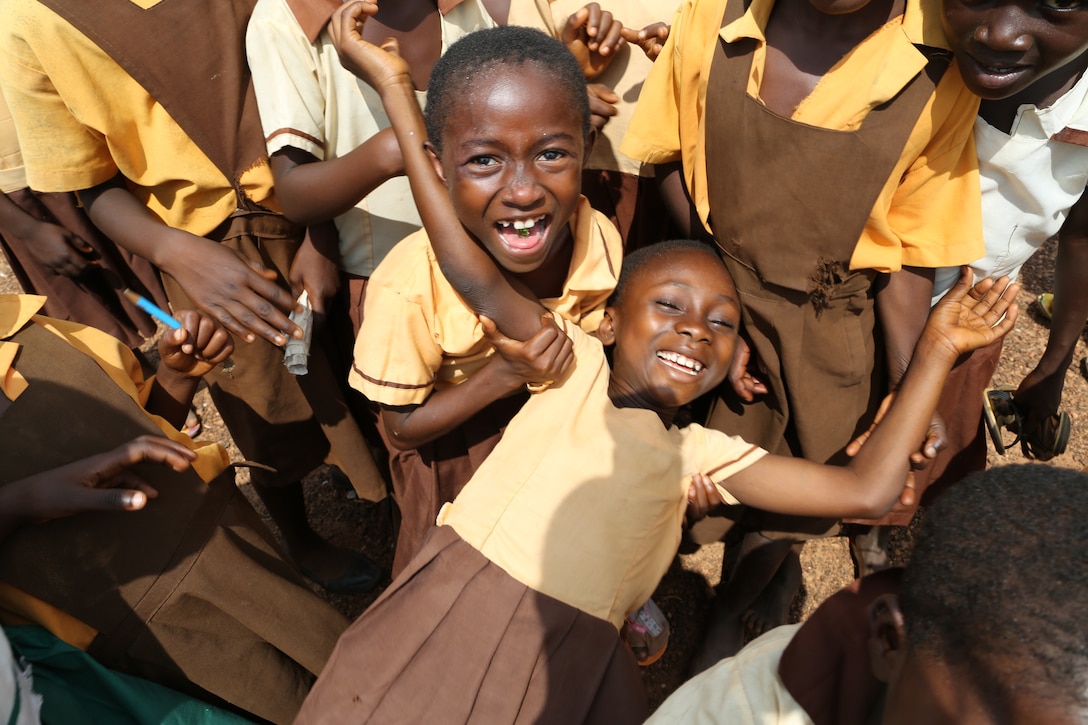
{"points": [[189, 55]]}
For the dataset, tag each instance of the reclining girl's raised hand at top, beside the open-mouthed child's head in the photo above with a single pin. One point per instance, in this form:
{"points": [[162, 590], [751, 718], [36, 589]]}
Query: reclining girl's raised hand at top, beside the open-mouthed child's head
{"points": [[382, 68]]}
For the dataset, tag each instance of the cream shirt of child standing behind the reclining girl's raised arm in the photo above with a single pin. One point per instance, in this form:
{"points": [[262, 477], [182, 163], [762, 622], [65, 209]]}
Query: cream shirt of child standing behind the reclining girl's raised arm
{"points": [[308, 101]]}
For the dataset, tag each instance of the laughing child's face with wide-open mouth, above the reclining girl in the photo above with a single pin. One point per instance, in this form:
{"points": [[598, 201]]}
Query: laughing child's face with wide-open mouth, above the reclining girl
{"points": [[512, 157]]}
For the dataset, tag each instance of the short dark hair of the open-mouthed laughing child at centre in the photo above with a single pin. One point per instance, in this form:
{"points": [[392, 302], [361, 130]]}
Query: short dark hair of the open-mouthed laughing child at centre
{"points": [[480, 53]]}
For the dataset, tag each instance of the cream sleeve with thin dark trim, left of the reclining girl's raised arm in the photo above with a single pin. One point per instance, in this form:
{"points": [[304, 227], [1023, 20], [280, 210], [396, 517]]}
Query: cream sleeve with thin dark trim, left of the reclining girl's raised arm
{"points": [[286, 80]]}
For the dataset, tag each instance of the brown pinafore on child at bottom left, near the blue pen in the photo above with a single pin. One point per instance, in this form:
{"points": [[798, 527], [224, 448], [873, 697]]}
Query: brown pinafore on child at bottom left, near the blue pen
{"points": [[190, 592]]}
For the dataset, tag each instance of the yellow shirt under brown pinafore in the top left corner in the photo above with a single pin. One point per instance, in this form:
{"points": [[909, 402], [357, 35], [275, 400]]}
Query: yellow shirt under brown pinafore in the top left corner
{"points": [[82, 119]]}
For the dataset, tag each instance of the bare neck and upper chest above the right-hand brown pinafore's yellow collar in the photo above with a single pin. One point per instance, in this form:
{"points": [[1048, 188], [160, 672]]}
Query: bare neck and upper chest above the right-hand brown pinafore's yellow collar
{"points": [[803, 44]]}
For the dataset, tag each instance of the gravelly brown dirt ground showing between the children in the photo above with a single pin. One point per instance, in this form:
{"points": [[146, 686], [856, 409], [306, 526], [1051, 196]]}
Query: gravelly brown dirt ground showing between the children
{"points": [[686, 593]]}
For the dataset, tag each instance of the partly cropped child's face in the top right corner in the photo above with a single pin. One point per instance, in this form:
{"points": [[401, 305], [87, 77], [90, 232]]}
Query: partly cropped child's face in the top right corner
{"points": [[1005, 46]]}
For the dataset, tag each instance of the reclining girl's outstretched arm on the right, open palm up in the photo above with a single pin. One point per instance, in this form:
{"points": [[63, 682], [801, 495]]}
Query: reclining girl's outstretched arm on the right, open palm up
{"points": [[868, 488]]}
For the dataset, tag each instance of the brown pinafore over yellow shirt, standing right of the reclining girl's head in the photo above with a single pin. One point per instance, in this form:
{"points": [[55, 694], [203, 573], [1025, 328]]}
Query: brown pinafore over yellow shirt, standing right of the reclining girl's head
{"points": [[788, 205]]}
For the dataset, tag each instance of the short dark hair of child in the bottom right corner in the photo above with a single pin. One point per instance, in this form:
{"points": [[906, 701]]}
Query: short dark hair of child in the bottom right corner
{"points": [[998, 584]]}
